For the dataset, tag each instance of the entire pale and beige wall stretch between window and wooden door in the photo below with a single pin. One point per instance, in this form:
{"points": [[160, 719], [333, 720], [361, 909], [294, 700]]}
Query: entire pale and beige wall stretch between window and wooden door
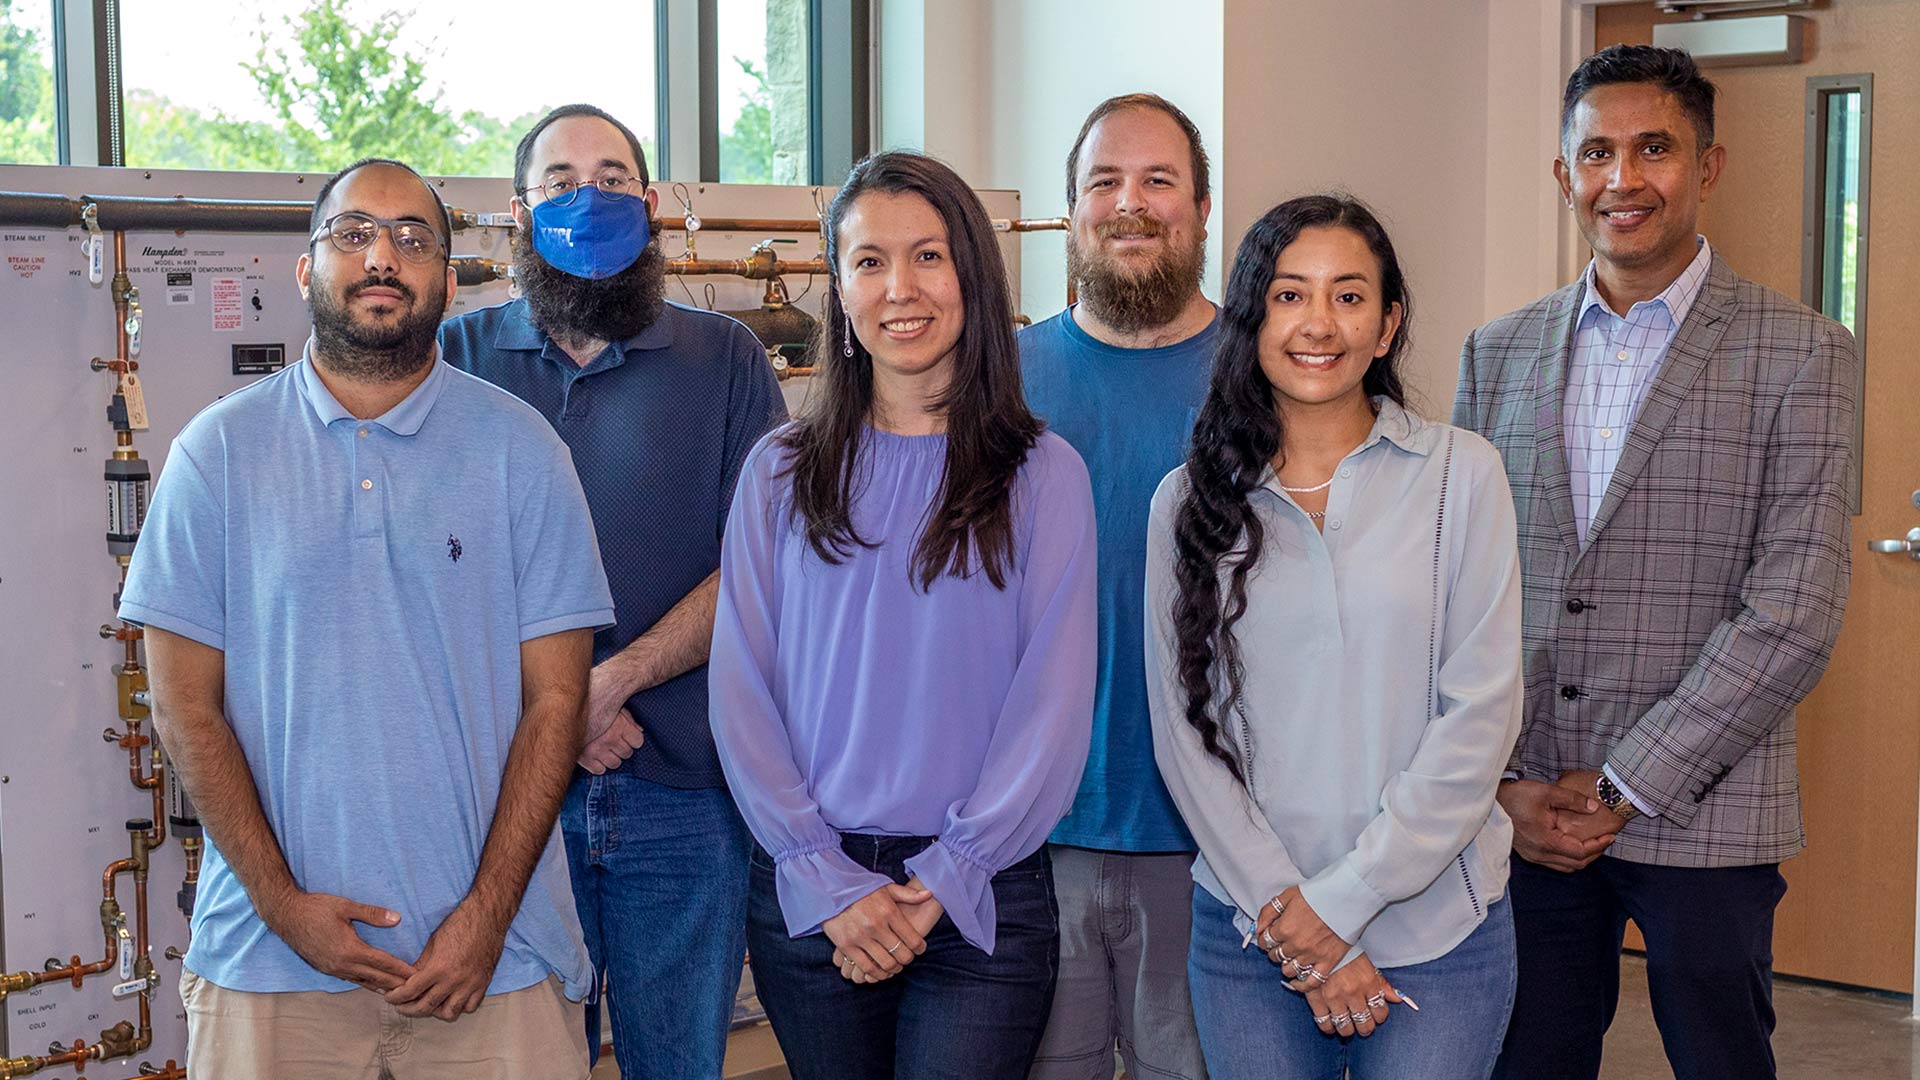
{"points": [[1441, 114]]}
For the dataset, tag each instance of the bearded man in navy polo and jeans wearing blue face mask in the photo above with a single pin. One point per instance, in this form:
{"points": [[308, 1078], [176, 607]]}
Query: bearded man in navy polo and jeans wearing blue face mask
{"points": [[660, 406]]}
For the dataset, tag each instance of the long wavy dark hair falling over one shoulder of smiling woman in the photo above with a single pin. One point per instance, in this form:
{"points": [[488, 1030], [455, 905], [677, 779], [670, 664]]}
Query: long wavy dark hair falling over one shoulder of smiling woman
{"points": [[1237, 435]]}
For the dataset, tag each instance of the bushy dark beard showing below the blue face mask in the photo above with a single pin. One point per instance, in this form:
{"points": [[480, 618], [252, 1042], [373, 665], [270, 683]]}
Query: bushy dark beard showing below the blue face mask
{"points": [[590, 308]]}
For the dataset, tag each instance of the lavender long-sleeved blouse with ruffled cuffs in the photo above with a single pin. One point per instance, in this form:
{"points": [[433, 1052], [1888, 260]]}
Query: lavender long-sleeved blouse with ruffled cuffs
{"points": [[848, 700]]}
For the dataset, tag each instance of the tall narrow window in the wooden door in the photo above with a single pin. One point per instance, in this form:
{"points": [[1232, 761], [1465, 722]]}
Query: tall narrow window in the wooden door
{"points": [[1840, 122]]}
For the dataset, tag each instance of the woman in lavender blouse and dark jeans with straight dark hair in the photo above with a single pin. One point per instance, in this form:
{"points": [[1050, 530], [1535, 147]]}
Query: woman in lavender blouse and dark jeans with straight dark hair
{"points": [[903, 658]]}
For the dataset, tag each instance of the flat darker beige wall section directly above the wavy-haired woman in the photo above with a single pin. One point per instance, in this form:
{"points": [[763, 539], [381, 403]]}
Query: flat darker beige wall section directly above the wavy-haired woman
{"points": [[1395, 116]]}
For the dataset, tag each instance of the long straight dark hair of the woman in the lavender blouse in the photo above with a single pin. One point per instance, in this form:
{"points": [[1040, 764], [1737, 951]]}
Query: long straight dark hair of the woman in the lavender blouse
{"points": [[990, 428]]}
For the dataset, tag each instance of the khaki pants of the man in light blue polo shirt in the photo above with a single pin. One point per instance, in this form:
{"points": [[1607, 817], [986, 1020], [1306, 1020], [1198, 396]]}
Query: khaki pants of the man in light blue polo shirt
{"points": [[356, 1035]]}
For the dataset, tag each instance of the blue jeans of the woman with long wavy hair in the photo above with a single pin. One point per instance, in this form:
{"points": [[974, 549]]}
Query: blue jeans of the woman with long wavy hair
{"points": [[1253, 1027]]}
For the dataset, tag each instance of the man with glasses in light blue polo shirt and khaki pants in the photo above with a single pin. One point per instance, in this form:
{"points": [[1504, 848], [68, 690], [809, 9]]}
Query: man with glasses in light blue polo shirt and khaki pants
{"points": [[370, 587]]}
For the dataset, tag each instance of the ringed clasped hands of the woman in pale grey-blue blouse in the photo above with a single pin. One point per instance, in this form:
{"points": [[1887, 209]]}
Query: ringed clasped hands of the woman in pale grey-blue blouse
{"points": [[1347, 1002]]}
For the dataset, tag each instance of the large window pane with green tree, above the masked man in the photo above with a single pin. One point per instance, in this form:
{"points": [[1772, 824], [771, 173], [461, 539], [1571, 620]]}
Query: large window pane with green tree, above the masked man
{"points": [[444, 86]]}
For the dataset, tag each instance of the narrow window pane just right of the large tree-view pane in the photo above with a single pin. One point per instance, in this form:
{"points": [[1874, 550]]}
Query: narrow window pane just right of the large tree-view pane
{"points": [[765, 91]]}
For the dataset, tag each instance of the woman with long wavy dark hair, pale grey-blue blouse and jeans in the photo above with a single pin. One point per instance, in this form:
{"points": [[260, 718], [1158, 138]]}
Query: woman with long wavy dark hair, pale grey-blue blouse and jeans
{"points": [[1335, 679]]}
